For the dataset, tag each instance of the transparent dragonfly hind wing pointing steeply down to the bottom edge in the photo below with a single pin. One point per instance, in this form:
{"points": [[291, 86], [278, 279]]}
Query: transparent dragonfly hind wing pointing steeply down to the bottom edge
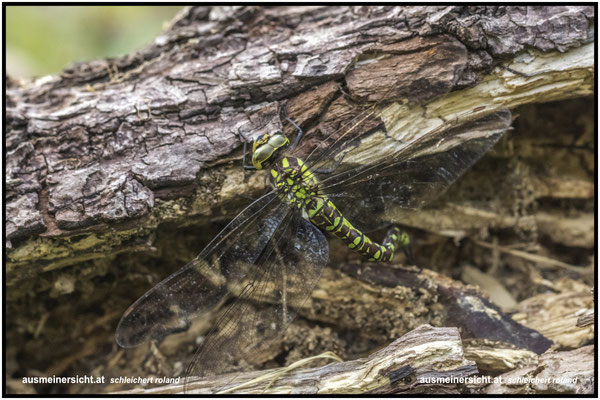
{"points": [[268, 297]]}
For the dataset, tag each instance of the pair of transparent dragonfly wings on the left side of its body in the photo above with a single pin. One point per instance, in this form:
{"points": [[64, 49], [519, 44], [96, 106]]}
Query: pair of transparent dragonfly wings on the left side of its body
{"points": [[267, 254]]}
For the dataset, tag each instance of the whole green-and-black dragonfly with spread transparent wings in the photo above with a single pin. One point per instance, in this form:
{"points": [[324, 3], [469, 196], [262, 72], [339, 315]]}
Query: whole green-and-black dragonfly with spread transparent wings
{"points": [[262, 267]]}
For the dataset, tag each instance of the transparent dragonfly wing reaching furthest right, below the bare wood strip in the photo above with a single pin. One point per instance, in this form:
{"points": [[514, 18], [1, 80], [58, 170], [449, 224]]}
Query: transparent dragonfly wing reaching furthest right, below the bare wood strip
{"points": [[416, 174]]}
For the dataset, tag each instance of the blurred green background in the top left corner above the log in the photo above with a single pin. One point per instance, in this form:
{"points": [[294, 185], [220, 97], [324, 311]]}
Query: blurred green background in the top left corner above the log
{"points": [[43, 40]]}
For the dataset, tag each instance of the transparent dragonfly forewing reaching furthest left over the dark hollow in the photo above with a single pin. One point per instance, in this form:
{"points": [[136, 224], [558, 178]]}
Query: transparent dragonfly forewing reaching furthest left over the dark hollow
{"points": [[197, 288]]}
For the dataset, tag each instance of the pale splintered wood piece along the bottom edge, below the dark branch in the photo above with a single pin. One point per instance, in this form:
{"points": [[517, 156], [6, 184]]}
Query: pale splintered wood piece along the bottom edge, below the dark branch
{"points": [[424, 354]]}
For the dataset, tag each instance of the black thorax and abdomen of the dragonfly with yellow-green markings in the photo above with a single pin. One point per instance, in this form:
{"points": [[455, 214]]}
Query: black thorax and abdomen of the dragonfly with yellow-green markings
{"points": [[298, 186]]}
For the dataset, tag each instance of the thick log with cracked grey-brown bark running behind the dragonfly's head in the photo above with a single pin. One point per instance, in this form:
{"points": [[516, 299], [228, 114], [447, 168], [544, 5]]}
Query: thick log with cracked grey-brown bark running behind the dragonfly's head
{"points": [[92, 150]]}
